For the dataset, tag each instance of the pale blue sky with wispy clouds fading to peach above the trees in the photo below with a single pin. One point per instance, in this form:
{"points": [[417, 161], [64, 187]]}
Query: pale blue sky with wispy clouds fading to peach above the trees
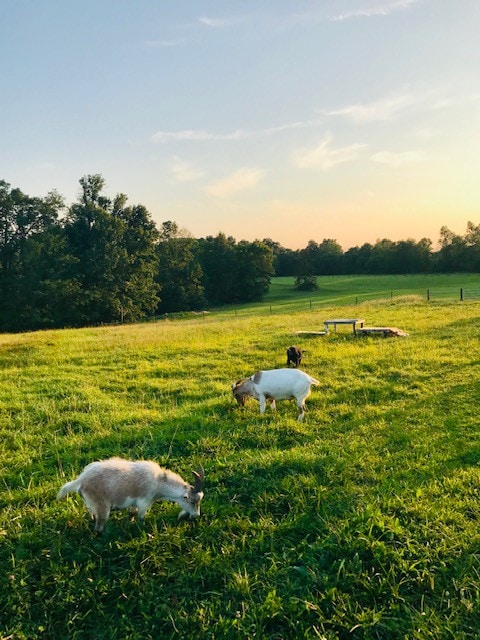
{"points": [[294, 120]]}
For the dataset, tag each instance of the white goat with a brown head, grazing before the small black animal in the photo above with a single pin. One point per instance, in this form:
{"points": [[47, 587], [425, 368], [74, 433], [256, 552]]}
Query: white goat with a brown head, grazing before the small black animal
{"points": [[275, 384]]}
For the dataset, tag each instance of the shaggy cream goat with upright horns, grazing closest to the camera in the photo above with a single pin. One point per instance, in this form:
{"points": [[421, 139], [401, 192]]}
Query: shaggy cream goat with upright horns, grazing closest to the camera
{"points": [[120, 484]]}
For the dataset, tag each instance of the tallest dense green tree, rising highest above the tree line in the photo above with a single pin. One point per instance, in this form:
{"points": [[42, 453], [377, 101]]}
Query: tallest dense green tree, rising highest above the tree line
{"points": [[114, 248]]}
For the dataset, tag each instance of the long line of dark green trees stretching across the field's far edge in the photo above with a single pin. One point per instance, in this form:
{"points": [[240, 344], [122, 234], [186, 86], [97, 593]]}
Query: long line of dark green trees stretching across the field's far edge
{"points": [[101, 260]]}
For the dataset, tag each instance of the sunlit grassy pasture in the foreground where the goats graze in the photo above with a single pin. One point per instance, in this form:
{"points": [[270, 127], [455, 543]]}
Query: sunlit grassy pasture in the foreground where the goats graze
{"points": [[362, 521]]}
